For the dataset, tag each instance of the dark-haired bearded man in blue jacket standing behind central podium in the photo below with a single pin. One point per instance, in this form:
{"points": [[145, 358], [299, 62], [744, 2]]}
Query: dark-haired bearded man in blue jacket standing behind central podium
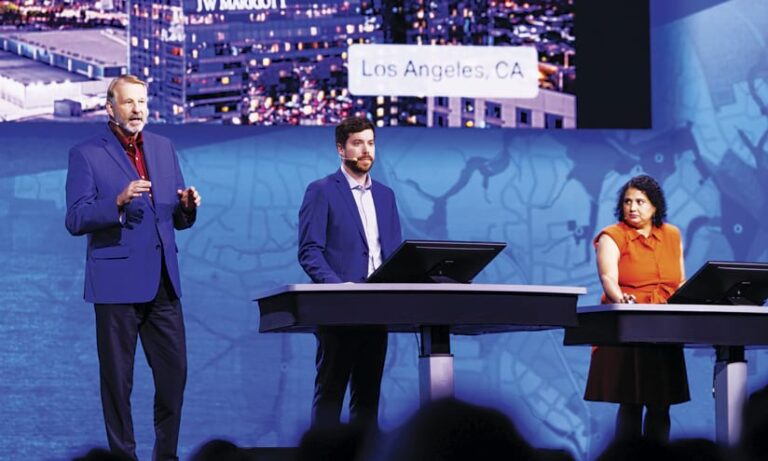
{"points": [[348, 224]]}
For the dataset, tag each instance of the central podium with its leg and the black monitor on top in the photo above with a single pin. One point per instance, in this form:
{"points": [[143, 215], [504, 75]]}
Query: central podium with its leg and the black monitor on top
{"points": [[434, 310]]}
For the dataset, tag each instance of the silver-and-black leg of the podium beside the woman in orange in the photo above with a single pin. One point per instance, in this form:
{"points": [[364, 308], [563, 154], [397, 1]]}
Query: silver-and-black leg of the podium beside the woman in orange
{"points": [[730, 392]]}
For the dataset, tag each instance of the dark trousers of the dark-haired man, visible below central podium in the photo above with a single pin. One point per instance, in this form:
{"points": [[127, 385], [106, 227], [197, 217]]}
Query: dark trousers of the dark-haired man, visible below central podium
{"points": [[348, 355]]}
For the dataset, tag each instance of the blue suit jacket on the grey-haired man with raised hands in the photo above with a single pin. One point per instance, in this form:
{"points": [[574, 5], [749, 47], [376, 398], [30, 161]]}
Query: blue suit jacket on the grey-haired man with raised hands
{"points": [[123, 261]]}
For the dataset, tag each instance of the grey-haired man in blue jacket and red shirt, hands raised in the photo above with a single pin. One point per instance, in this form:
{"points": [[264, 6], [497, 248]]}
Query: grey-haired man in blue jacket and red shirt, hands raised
{"points": [[125, 192]]}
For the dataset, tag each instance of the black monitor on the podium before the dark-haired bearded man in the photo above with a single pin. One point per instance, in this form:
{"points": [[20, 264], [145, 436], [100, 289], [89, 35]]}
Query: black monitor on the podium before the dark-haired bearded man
{"points": [[427, 261]]}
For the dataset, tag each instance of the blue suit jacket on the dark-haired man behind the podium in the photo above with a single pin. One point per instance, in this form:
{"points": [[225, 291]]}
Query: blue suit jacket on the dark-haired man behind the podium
{"points": [[332, 244]]}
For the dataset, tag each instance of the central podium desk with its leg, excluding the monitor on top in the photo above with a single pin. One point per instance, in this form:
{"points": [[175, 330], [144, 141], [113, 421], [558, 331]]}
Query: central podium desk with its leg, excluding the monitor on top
{"points": [[435, 311]]}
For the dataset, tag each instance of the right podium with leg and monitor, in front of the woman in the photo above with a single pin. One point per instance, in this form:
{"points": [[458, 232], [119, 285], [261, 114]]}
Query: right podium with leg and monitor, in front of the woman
{"points": [[720, 306]]}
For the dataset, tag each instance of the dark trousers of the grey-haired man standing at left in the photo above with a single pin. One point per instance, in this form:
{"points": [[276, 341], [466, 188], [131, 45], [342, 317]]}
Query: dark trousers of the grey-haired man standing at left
{"points": [[160, 325]]}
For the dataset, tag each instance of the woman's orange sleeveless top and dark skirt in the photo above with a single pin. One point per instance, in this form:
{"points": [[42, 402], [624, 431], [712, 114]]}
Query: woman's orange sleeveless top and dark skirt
{"points": [[649, 268]]}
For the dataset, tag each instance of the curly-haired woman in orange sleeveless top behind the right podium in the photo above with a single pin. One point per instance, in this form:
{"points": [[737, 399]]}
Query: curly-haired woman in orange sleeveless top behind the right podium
{"points": [[640, 260]]}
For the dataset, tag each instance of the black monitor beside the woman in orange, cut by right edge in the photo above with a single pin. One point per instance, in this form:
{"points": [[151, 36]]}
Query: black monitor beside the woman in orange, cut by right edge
{"points": [[717, 282]]}
